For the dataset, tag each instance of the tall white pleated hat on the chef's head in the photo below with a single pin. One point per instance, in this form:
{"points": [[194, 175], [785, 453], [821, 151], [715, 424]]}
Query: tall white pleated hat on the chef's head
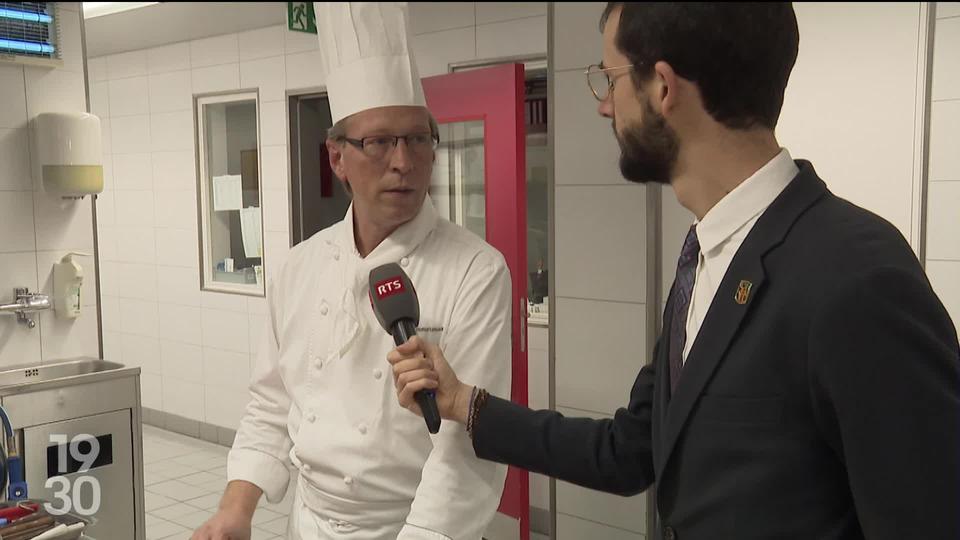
{"points": [[367, 57]]}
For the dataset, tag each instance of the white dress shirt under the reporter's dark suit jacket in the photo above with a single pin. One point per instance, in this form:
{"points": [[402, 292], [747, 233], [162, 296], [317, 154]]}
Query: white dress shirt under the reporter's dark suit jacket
{"points": [[721, 233]]}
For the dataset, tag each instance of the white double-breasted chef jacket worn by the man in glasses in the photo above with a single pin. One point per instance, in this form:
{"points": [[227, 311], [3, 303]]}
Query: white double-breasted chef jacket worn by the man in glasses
{"points": [[322, 391]]}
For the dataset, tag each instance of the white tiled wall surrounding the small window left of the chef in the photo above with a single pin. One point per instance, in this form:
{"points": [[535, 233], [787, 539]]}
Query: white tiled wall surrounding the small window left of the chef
{"points": [[155, 315]]}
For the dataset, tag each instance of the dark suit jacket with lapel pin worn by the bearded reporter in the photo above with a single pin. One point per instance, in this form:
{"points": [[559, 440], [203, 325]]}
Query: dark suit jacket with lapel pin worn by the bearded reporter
{"points": [[827, 406]]}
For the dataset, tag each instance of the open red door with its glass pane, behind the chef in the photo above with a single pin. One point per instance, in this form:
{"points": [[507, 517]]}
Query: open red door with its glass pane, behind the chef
{"points": [[480, 183]]}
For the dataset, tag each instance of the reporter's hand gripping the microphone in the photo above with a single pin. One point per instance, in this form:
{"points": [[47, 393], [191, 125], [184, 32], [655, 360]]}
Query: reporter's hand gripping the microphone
{"points": [[420, 365]]}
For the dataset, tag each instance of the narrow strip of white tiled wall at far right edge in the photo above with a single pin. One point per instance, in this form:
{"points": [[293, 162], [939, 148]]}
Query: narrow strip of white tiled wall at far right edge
{"points": [[943, 191]]}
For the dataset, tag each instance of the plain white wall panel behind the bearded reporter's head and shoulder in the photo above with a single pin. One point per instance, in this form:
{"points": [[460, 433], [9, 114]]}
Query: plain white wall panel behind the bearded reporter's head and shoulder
{"points": [[854, 87]]}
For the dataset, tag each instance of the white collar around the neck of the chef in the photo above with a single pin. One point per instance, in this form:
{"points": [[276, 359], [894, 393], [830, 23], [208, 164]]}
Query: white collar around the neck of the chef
{"points": [[400, 243]]}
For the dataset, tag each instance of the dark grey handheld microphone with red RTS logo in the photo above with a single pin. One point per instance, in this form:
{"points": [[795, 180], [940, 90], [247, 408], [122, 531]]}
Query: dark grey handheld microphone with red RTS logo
{"points": [[394, 302]]}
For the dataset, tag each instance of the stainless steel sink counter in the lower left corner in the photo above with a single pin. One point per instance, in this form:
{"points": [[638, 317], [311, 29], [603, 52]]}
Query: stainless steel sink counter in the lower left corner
{"points": [[57, 410]]}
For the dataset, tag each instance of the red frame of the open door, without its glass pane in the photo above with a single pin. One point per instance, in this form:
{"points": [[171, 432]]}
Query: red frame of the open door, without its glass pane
{"points": [[496, 96]]}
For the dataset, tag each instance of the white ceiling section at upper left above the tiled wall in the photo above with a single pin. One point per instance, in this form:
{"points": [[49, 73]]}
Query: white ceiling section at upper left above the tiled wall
{"points": [[169, 22]]}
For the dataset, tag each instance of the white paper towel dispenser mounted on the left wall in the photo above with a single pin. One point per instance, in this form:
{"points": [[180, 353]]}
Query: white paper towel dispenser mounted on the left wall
{"points": [[68, 155]]}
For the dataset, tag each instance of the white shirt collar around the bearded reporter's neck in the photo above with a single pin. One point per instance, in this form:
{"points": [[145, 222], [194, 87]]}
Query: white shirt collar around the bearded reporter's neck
{"points": [[745, 202]]}
